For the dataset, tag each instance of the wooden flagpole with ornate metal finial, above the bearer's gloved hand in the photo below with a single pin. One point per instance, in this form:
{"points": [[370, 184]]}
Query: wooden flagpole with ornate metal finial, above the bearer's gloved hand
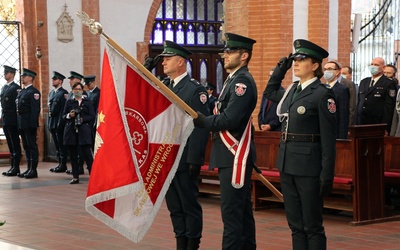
{"points": [[96, 29]]}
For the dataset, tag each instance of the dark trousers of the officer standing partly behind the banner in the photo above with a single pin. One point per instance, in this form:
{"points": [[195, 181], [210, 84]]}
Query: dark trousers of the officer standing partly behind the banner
{"points": [[185, 210]]}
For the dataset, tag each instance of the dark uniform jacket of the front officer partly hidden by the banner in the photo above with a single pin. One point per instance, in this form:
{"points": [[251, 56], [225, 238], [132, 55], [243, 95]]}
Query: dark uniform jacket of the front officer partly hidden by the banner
{"points": [[195, 95]]}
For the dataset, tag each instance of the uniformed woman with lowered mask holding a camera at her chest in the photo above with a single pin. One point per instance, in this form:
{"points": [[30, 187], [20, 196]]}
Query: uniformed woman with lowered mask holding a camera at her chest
{"points": [[79, 116]]}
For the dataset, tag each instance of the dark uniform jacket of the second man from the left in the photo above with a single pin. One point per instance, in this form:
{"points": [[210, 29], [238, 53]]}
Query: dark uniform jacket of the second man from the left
{"points": [[28, 107]]}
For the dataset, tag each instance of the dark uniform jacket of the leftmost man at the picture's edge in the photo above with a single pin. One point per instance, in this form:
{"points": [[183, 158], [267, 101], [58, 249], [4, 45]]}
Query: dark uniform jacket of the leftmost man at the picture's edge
{"points": [[8, 96]]}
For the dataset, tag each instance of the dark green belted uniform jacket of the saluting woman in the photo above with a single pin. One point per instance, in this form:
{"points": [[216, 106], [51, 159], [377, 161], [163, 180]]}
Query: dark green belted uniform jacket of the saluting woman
{"points": [[310, 112]]}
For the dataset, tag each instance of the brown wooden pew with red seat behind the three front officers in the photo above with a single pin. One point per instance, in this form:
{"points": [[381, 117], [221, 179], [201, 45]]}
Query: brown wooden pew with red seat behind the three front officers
{"points": [[359, 166]]}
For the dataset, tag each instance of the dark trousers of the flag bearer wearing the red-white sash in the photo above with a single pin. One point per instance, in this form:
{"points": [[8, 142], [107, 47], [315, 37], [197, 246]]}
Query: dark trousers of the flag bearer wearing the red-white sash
{"points": [[237, 212]]}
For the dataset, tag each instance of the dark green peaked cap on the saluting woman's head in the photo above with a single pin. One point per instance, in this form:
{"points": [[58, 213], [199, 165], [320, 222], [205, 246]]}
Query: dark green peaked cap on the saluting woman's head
{"points": [[307, 48]]}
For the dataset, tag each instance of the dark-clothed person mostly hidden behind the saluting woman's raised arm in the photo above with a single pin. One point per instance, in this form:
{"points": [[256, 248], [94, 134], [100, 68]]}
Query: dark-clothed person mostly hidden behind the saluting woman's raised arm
{"points": [[268, 120]]}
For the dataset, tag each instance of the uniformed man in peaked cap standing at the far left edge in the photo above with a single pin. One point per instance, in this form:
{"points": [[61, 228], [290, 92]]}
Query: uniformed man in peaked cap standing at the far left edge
{"points": [[8, 96]]}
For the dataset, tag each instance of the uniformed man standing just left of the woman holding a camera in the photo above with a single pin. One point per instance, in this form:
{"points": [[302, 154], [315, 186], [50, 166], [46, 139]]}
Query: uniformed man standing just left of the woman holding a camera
{"points": [[57, 99]]}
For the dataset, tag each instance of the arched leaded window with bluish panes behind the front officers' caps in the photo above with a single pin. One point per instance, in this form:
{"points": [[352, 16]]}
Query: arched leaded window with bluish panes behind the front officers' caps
{"points": [[196, 25]]}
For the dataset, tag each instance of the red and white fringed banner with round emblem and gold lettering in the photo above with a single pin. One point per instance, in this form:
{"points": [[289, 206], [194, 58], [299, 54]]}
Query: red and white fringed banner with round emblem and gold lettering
{"points": [[140, 137]]}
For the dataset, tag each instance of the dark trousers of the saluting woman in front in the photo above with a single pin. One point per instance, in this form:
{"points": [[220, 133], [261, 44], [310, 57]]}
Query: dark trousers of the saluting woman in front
{"points": [[303, 206]]}
